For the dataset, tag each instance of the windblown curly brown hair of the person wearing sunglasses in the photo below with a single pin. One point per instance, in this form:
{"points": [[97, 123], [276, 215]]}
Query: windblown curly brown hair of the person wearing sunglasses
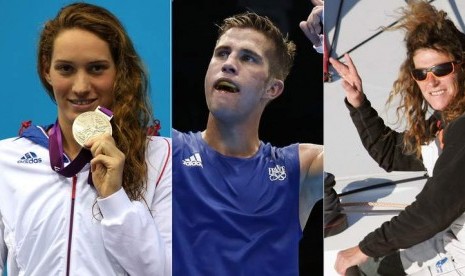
{"points": [[426, 28]]}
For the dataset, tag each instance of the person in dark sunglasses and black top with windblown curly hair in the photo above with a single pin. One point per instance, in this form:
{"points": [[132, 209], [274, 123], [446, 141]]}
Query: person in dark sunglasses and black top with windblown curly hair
{"points": [[430, 230]]}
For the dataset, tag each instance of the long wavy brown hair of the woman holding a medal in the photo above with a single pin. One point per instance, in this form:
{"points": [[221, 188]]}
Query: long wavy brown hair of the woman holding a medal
{"points": [[132, 112]]}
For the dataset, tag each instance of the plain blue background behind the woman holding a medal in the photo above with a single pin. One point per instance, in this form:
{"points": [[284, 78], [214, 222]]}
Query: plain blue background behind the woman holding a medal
{"points": [[24, 98]]}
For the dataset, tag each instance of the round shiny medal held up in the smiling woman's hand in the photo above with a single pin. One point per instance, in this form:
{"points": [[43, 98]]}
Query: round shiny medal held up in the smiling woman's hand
{"points": [[90, 124]]}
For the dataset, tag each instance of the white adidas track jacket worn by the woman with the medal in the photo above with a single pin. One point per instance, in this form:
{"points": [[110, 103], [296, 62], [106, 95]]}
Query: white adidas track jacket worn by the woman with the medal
{"points": [[51, 225]]}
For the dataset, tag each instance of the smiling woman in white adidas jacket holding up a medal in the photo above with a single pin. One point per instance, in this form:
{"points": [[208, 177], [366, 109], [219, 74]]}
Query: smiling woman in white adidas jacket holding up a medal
{"points": [[91, 193]]}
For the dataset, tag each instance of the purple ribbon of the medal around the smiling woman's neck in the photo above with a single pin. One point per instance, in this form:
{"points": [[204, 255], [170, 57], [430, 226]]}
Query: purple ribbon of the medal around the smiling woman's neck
{"points": [[56, 152]]}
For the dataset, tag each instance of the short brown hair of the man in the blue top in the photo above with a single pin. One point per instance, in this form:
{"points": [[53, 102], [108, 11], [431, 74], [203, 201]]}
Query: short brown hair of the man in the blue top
{"points": [[282, 57]]}
